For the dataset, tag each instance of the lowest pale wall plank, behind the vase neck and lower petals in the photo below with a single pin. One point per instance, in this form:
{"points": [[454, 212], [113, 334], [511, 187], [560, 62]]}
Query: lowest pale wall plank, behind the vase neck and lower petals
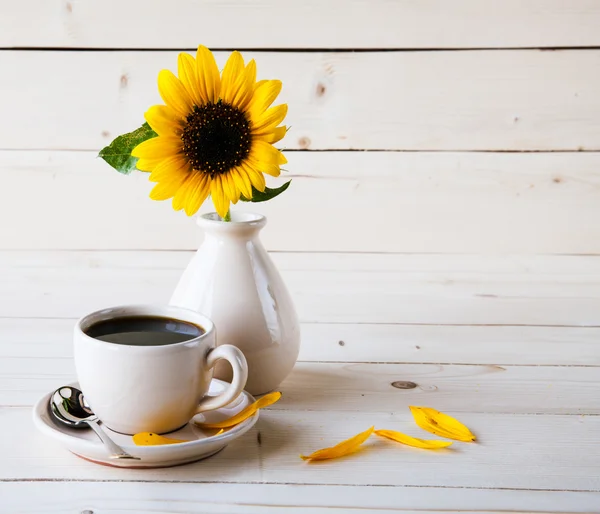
{"points": [[338, 201]]}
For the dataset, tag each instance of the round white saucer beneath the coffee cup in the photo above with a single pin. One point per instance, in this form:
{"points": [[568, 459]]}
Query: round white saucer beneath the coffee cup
{"points": [[202, 443]]}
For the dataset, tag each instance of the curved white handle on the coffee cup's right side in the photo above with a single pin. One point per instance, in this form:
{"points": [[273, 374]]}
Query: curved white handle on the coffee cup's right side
{"points": [[238, 362]]}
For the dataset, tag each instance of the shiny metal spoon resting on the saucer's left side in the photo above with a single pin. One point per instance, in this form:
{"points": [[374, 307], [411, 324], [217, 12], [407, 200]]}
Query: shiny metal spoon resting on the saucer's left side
{"points": [[68, 406]]}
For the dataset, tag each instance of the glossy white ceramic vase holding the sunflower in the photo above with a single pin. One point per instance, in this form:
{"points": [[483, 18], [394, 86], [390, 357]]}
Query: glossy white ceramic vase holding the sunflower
{"points": [[232, 280]]}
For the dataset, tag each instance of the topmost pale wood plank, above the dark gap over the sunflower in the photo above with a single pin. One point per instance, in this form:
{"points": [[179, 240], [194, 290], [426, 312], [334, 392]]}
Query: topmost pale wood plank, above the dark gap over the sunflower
{"points": [[293, 24]]}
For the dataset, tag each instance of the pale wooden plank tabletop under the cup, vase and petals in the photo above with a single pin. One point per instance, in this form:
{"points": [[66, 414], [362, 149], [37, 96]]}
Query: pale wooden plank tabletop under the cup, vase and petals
{"points": [[508, 345]]}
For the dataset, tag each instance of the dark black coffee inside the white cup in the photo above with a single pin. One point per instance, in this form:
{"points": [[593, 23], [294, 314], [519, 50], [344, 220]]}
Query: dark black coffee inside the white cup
{"points": [[144, 331]]}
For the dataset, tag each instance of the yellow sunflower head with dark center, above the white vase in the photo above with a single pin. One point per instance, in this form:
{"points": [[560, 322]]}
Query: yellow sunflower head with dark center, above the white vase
{"points": [[215, 133]]}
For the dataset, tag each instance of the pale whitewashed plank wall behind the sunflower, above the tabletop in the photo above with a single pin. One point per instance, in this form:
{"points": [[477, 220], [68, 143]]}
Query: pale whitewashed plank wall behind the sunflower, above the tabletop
{"points": [[445, 133]]}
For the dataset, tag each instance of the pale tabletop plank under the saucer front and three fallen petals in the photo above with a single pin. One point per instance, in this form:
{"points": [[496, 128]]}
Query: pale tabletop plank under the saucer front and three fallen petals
{"points": [[515, 452]]}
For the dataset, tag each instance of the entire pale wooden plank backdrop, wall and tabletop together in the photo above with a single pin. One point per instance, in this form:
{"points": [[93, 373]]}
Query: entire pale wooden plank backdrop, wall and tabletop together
{"points": [[441, 228]]}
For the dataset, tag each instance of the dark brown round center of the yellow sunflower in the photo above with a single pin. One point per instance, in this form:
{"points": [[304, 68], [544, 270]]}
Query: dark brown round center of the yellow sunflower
{"points": [[216, 138]]}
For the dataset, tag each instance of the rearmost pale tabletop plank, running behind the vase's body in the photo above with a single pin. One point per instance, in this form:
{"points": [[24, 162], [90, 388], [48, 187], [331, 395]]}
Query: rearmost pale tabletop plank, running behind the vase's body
{"points": [[368, 288]]}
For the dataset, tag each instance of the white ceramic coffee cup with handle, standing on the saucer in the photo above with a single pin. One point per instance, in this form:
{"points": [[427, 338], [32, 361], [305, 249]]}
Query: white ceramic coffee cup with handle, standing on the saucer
{"points": [[137, 388]]}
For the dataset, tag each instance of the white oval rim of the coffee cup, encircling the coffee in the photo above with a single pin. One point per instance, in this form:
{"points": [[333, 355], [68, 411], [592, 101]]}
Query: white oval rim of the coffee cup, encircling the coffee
{"points": [[166, 311]]}
